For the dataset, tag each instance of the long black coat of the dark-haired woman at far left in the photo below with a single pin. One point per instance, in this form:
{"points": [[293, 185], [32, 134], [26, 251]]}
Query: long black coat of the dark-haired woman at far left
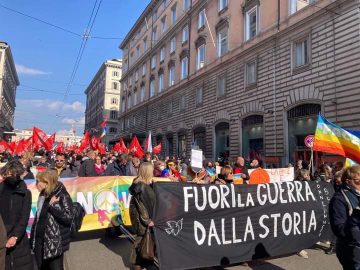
{"points": [[15, 202]]}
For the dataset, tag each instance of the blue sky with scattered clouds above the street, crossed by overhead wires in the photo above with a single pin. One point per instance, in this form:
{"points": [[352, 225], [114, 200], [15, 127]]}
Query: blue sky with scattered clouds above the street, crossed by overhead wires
{"points": [[45, 56]]}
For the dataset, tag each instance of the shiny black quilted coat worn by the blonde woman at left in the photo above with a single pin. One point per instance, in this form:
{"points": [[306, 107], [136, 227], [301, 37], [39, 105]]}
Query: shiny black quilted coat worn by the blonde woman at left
{"points": [[50, 233]]}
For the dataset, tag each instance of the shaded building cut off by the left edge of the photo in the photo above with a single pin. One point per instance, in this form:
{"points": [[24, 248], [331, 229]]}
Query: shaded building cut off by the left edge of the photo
{"points": [[9, 81]]}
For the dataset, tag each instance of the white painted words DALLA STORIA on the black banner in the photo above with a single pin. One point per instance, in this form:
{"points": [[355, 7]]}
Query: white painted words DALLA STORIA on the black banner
{"points": [[289, 223]]}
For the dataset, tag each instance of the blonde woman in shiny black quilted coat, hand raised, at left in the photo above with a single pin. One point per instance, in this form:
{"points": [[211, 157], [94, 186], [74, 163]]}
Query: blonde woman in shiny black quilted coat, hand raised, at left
{"points": [[50, 233]]}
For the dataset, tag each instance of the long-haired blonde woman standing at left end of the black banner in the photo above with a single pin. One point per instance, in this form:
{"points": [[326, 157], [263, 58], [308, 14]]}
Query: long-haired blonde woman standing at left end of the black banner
{"points": [[141, 211]]}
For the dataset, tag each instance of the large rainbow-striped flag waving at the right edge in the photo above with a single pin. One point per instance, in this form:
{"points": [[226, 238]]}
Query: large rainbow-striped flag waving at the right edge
{"points": [[333, 139]]}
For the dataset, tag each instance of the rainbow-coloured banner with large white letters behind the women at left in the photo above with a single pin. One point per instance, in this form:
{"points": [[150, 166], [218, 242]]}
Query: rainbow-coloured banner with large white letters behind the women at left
{"points": [[105, 199]]}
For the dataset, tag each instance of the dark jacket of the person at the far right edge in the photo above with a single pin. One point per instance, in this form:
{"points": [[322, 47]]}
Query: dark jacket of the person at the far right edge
{"points": [[347, 229]]}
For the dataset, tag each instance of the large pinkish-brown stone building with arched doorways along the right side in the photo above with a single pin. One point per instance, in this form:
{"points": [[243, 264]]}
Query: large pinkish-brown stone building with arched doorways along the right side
{"points": [[255, 76]]}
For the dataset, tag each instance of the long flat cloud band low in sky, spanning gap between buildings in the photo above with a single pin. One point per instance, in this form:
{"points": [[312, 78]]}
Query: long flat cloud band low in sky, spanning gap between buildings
{"points": [[52, 105]]}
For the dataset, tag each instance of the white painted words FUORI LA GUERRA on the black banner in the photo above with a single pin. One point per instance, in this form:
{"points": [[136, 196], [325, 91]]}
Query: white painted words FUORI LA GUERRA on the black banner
{"points": [[221, 196]]}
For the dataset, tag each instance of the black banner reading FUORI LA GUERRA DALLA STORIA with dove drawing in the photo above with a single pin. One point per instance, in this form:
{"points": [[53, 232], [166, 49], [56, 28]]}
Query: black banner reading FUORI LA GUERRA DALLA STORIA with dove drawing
{"points": [[211, 225]]}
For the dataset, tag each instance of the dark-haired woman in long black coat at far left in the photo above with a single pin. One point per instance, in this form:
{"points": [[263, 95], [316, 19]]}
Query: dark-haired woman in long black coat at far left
{"points": [[15, 201]]}
